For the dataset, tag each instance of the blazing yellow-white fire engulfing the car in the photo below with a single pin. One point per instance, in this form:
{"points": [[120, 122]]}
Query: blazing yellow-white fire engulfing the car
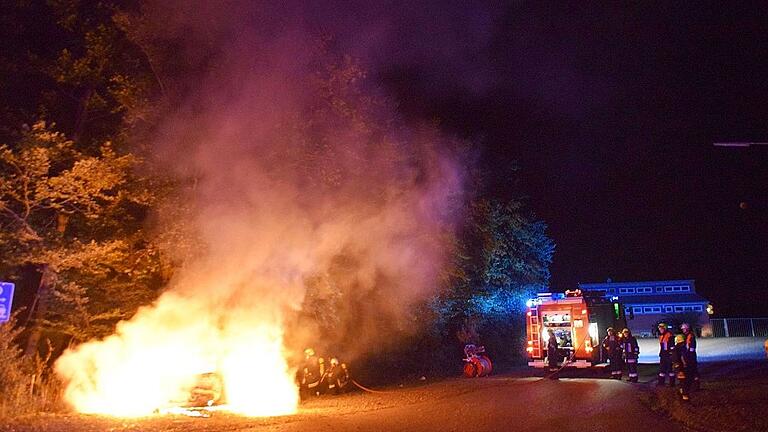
{"points": [[154, 360]]}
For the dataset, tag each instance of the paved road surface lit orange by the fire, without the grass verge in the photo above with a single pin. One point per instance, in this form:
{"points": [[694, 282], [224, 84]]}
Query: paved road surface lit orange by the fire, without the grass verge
{"points": [[500, 403]]}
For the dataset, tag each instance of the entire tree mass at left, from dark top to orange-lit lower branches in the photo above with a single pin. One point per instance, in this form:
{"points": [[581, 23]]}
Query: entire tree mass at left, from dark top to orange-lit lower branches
{"points": [[72, 205]]}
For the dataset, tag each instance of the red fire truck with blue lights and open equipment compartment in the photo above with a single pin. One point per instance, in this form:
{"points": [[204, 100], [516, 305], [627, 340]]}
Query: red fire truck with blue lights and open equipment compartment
{"points": [[579, 321]]}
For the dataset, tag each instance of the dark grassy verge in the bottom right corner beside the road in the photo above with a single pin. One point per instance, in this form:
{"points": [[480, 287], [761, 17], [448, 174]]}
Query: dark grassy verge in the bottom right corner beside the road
{"points": [[733, 397]]}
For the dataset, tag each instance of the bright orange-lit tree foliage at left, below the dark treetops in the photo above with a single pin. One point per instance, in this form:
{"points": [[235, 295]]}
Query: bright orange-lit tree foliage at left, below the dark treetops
{"points": [[64, 212]]}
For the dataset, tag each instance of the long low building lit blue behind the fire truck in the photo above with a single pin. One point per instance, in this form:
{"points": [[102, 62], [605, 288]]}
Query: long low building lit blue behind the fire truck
{"points": [[648, 303]]}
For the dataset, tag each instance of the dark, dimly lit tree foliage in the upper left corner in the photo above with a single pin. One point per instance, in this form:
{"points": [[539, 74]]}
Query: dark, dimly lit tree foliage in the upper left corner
{"points": [[74, 65]]}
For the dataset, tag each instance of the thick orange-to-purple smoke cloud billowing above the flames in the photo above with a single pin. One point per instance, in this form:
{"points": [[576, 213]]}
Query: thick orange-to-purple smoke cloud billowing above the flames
{"points": [[312, 200]]}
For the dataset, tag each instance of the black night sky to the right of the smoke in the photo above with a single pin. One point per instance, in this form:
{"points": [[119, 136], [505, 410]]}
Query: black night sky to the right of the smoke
{"points": [[611, 115]]}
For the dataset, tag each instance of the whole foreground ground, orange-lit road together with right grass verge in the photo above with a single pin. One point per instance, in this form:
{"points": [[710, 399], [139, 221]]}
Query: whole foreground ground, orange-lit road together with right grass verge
{"points": [[733, 397]]}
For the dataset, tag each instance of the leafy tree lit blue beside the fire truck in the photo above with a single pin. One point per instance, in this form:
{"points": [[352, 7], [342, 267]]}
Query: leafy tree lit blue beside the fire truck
{"points": [[500, 259]]}
